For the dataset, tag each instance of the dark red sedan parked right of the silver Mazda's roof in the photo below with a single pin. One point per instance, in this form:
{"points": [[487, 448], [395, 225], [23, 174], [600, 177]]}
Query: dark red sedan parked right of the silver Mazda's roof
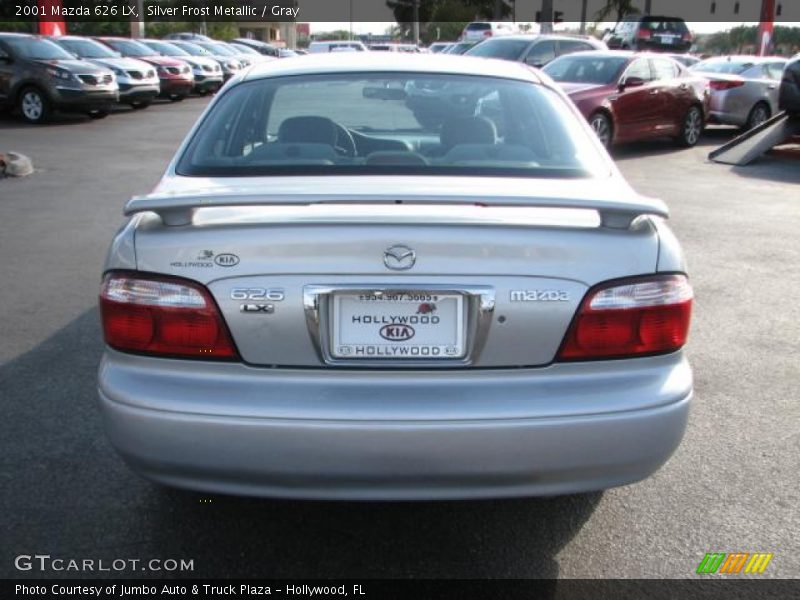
{"points": [[629, 96]]}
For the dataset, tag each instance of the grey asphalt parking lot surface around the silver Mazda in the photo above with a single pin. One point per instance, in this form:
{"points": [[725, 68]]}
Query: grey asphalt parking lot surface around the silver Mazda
{"points": [[731, 486]]}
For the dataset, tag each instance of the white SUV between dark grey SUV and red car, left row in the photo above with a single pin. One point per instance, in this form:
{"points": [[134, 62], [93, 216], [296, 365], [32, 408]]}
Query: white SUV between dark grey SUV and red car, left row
{"points": [[137, 80]]}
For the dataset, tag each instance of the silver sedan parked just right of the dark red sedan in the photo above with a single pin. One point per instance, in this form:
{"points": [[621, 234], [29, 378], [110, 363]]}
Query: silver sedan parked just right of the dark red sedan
{"points": [[744, 89]]}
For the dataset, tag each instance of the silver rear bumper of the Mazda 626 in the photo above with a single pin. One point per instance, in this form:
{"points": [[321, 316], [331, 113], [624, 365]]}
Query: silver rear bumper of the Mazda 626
{"points": [[349, 435]]}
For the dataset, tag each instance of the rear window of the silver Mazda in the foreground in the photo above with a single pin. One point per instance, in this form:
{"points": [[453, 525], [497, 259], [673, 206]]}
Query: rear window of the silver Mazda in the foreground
{"points": [[392, 123]]}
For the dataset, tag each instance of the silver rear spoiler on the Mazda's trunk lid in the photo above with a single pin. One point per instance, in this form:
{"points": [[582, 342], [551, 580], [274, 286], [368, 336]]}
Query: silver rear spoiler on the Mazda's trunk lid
{"points": [[179, 209]]}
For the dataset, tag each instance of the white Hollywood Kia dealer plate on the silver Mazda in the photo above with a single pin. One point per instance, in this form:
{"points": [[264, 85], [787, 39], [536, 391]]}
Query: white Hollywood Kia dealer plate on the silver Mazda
{"points": [[397, 325]]}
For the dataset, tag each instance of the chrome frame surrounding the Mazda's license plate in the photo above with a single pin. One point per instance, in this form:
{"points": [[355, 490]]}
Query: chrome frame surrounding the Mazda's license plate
{"points": [[480, 303]]}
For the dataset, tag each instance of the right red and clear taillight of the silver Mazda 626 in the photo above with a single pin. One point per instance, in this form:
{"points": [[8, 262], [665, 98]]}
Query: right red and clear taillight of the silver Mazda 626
{"points": [[633, 318]]}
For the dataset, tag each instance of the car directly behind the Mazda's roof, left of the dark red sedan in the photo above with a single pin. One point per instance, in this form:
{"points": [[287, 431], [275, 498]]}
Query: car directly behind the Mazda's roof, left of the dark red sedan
{"points": [[534, 50]]}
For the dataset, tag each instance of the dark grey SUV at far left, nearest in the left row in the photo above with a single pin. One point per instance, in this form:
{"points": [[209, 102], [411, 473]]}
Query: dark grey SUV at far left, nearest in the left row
{"points": [[38, 77]]}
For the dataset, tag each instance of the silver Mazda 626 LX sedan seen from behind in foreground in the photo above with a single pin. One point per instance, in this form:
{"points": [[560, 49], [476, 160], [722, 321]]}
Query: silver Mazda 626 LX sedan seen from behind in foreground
{"points": [[323, 298]]}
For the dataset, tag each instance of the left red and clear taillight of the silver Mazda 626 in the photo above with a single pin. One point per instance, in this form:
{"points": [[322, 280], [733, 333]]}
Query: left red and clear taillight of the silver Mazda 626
{"points": [[163, 315]]}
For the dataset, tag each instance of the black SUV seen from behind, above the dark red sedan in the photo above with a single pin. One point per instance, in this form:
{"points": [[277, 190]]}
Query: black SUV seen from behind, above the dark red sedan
{"points": [[660, 34]]}
